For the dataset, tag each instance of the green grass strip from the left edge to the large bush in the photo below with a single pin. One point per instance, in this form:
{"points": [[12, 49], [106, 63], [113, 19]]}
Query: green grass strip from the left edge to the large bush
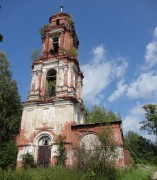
{"points": [[50, 173]]}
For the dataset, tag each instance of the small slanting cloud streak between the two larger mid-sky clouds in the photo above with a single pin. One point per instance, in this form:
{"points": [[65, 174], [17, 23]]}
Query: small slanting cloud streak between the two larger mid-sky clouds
{"points": [[121, 88]]}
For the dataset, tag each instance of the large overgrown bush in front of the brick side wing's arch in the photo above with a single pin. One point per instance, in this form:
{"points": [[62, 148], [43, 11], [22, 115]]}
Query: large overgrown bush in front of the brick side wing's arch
{"points": [[98, 159]]}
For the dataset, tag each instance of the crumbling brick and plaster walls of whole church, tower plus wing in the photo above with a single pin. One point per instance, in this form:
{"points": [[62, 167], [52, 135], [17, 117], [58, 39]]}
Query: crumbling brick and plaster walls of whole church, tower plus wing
{"points": [[42, 113]]}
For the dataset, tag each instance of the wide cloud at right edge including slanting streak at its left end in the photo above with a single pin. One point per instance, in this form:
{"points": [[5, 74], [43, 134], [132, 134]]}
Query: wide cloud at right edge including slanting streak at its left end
{"points": [[144, 87]]}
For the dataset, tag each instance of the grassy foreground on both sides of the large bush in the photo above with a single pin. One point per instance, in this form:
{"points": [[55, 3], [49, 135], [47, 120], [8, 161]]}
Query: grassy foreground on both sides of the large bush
{"points": [[58, 173]]}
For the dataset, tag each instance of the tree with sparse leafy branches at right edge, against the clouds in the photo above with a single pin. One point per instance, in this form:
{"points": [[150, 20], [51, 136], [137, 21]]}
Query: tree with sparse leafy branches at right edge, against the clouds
{"points": [[150, 124]]}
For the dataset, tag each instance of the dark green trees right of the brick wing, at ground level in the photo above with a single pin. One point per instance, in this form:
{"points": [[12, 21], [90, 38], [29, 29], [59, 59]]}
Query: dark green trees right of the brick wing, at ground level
{"points": [[141, 149]]}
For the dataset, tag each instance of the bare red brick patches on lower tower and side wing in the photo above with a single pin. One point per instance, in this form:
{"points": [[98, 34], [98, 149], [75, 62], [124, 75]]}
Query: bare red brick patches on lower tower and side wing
{"points": [[73, 134]]}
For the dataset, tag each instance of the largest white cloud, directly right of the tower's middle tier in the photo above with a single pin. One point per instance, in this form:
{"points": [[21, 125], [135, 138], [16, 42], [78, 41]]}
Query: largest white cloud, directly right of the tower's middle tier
{"points": [[99, 73]]}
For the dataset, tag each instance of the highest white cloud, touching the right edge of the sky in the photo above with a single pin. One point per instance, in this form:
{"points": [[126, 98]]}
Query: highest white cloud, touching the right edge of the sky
{"points": [[151, 52]]}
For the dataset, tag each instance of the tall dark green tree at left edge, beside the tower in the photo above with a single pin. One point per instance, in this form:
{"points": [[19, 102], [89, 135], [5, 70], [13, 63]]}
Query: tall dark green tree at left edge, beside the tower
{"points": [[10, 107]]}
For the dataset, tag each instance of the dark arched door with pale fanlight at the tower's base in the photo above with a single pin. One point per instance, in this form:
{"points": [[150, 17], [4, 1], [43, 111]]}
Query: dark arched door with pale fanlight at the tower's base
{"points": [[44, 151]]}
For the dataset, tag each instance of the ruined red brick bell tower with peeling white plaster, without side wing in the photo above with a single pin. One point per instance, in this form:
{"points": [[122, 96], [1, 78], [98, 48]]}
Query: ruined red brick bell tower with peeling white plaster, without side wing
{"points": [[54, 102]]}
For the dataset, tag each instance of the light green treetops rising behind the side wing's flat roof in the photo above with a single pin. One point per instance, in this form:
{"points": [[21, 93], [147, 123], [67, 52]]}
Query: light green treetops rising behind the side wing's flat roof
{"points": [[99, 114]]}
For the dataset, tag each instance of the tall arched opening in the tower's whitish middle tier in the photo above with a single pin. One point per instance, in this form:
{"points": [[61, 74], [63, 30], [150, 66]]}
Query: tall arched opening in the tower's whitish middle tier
{"points": [[51, 82]]}
